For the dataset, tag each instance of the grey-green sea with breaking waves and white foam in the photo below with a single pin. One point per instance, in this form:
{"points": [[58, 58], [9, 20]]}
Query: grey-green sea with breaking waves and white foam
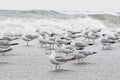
{"points": [[25, 22]]}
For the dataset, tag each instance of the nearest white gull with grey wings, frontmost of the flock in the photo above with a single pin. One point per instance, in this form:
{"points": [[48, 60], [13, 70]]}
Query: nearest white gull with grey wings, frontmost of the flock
{"points": [[57, 60]]}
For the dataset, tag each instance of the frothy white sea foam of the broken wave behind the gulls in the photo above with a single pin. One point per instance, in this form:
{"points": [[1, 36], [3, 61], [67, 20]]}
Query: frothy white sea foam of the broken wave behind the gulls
{"points": [[24, 25]]}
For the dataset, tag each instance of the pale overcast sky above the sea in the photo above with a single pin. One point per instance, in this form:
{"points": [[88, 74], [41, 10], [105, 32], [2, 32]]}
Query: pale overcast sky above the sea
{"points": [[69, 5]]}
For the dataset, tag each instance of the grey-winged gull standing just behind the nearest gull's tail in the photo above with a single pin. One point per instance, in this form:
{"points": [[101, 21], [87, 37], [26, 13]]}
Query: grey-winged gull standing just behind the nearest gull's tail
{"points": [[82, 54]]}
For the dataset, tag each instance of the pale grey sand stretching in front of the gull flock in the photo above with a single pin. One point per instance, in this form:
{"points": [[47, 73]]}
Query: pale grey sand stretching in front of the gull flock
{"points": [[31, 63]]}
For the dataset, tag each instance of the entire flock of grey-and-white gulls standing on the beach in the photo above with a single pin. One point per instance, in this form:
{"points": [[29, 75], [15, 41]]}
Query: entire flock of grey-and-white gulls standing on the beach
{"points": [[64, 43]]}
